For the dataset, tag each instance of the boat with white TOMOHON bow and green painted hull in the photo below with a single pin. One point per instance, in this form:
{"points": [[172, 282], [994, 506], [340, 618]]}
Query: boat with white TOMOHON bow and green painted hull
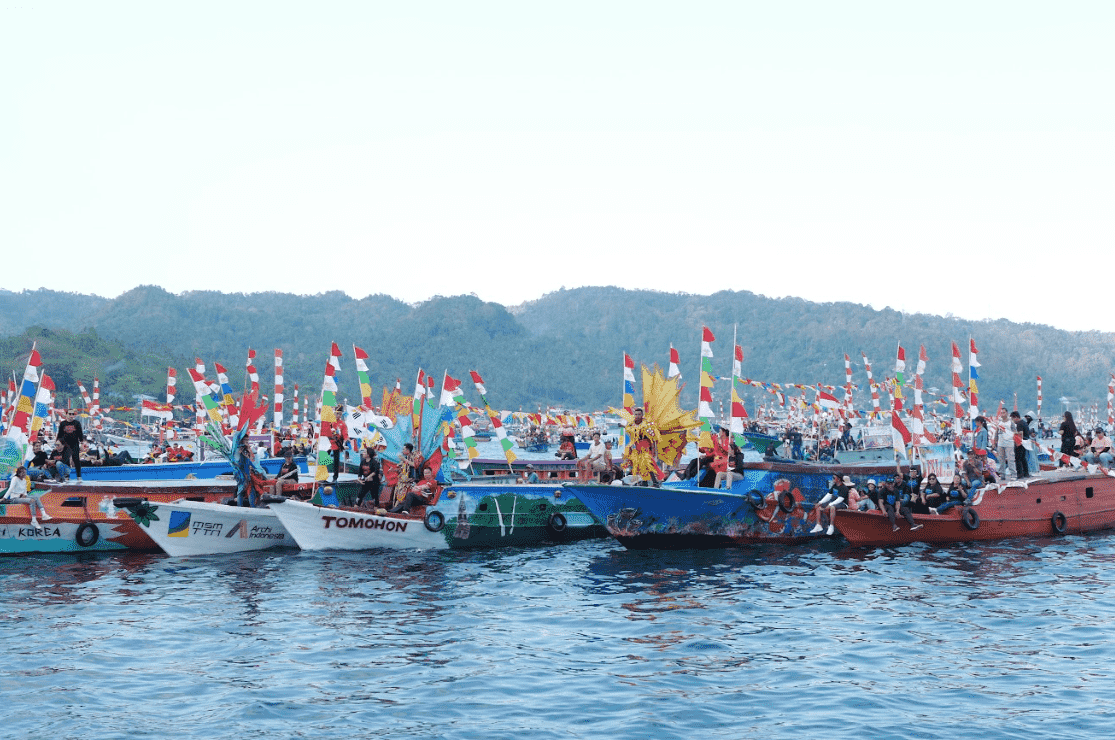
{"points": [[462, 517]]}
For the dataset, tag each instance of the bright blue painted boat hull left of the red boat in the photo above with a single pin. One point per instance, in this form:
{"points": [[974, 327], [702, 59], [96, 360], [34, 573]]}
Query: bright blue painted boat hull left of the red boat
{"points": [[774, 503]]}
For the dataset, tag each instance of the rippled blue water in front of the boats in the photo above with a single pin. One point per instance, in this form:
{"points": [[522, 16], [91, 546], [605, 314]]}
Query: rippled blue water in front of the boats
{"points": [[1011, 640]]}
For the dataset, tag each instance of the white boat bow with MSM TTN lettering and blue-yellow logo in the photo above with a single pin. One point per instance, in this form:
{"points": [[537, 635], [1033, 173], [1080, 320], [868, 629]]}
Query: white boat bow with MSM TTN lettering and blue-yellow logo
{"points": [[187, 528]]}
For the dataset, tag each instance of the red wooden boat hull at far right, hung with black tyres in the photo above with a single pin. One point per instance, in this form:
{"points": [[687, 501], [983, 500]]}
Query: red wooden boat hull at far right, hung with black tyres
{"points": [[1055, 503]]}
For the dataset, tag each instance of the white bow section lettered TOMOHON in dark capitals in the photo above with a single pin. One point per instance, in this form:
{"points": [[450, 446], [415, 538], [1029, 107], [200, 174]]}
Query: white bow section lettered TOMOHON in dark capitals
{"points": [[327, 528]]}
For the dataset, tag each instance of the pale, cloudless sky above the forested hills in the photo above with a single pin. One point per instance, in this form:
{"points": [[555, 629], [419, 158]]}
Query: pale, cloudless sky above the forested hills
{"points": [[946, 159]]}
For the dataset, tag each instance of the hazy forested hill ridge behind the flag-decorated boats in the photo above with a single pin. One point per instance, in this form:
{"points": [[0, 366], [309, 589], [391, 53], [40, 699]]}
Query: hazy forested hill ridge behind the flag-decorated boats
{"points": [[564, 349]]}
